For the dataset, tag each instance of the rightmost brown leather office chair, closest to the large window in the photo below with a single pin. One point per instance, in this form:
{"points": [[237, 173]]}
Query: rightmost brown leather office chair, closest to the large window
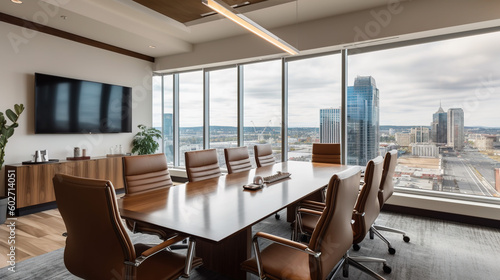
{"points": [[385, 192]]}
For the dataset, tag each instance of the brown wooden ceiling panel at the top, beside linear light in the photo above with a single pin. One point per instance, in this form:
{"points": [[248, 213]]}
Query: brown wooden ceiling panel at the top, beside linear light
{"points": [[185, 10]]}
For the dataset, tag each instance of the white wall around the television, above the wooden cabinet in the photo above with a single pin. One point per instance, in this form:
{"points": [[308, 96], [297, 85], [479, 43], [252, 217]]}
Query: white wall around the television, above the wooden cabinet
{"points": [[38, 52]]}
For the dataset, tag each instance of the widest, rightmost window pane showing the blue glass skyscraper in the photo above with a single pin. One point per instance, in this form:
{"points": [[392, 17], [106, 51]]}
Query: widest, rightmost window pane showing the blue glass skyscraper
{"points": [[437, 104]]}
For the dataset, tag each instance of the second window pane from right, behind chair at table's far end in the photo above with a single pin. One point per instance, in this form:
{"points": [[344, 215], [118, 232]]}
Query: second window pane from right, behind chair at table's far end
{"points": [[314, 94]]}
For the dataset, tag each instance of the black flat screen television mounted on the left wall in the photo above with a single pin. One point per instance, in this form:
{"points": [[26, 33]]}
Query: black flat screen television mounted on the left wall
{"points": [[65, 105]]}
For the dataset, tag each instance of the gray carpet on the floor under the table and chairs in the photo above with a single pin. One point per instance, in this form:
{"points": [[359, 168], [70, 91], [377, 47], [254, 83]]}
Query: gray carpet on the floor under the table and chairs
{"points": [[438, 250]]}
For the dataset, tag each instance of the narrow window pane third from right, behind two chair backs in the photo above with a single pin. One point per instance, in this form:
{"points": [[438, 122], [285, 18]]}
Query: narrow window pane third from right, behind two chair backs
{"points": [[262, 105]]}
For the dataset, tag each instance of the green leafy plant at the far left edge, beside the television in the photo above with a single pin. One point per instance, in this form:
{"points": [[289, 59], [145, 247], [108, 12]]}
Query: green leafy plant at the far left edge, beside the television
{"points": [[6, 131]]}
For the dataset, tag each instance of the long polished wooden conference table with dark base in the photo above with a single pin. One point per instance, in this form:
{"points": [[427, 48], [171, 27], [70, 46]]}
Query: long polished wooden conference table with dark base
{"points": [[219, 213]]}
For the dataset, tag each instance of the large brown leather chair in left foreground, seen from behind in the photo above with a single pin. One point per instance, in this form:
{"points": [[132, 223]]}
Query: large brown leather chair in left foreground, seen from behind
{"points": [[97, 244]]}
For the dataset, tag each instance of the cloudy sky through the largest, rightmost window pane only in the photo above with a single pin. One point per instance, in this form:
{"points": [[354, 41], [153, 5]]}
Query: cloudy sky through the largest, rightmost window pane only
{"points": [[459, 73]]}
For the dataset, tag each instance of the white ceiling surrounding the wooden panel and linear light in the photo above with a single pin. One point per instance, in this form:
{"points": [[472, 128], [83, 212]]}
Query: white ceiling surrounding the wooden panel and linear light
{"points": [[126, 24]]}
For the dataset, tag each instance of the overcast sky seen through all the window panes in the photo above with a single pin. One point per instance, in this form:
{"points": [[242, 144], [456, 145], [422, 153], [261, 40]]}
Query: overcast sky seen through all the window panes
{"points": [[413, 81]]}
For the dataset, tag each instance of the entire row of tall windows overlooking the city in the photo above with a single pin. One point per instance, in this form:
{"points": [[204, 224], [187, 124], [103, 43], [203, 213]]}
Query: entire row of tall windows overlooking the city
{"points": [[434, 102]]}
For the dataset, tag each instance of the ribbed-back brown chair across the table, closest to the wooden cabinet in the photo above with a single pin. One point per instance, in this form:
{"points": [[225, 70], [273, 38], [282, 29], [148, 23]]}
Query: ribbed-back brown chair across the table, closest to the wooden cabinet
{"points": [[144, 173]]}
